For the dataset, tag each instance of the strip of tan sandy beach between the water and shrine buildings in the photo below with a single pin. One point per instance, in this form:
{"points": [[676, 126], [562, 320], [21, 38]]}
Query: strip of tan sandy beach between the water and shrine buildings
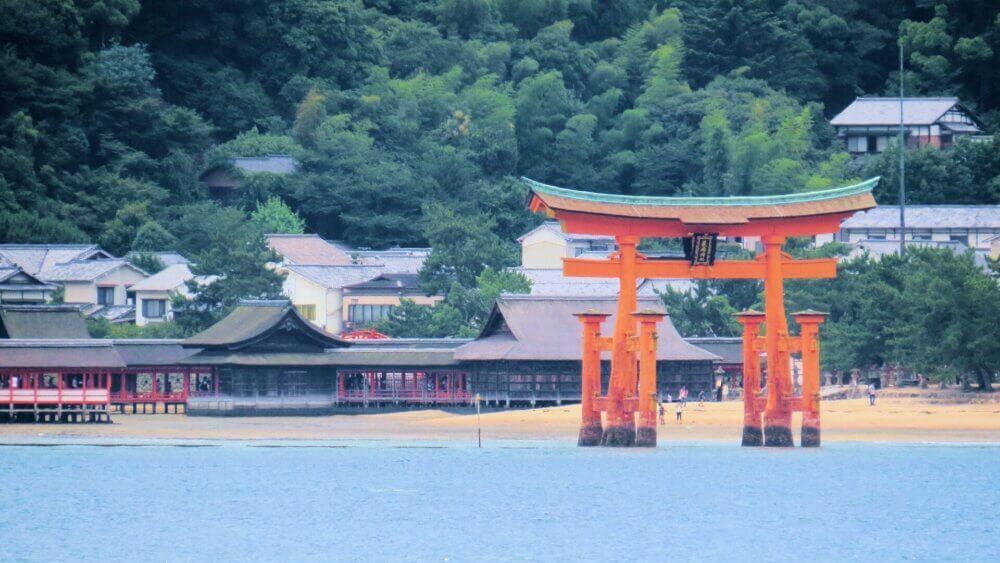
{"points": [[917, 417]]}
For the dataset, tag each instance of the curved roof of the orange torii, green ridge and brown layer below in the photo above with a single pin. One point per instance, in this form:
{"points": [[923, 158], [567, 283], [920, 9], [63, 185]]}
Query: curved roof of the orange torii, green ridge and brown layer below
{"points": [[705, 210]]}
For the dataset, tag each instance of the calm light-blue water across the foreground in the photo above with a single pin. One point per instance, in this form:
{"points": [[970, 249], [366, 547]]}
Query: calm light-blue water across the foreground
{"points": [[377, 501]]}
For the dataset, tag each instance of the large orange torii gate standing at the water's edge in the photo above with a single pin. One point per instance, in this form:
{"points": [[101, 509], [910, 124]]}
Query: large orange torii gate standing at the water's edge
{"points": [[699, 221]]}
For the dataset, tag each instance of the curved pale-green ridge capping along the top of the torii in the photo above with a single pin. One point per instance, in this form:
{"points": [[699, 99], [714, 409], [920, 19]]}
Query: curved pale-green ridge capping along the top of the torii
{"points": [[731, 201]]}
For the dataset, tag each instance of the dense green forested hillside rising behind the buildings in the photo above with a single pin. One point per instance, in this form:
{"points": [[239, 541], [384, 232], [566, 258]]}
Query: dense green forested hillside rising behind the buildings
{"points": [[412, 118]]}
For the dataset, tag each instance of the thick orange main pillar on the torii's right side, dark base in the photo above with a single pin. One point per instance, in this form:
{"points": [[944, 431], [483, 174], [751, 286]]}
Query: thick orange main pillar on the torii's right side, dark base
{"points": [[777, 414]]}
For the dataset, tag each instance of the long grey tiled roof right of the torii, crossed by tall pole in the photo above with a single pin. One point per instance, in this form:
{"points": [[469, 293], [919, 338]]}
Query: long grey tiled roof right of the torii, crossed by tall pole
{"points": [[928, 217]]}
